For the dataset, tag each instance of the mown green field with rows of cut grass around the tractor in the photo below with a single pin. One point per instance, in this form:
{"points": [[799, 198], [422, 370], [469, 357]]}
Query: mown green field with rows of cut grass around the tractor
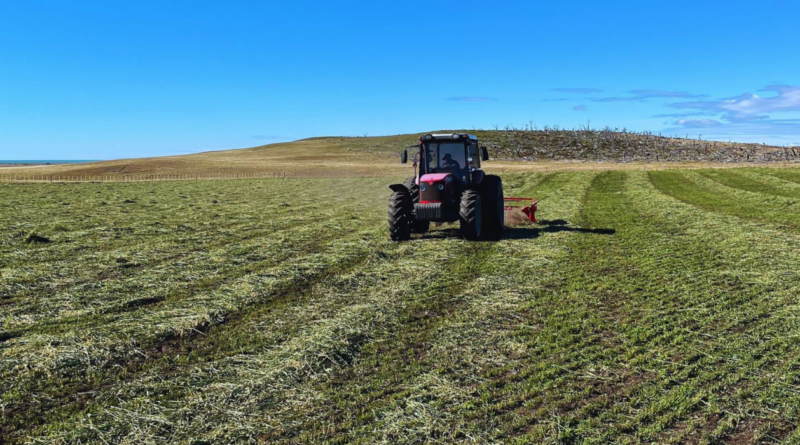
{"points": [[646, 307]]}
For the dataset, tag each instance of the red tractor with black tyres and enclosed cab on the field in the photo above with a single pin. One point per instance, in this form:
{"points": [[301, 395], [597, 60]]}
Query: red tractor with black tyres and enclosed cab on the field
{"points": [[449, 186]]}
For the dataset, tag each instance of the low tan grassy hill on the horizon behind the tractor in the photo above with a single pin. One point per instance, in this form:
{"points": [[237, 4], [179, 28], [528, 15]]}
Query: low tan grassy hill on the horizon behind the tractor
{"points": [[364, 156]]}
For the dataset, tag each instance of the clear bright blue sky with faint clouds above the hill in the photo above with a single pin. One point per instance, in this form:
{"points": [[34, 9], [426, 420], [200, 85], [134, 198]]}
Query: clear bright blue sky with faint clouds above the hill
{"points": [[99, 80]]}
